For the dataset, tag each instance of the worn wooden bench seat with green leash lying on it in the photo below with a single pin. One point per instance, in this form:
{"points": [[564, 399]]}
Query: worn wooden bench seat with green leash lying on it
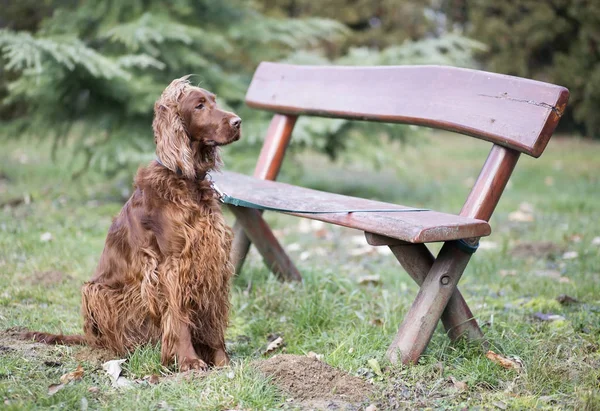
{"points": [[413, 227]]}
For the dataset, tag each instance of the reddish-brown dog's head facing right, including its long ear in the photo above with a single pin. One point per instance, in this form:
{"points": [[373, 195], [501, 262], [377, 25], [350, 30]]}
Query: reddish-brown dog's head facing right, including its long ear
{"points": [[185, 114]]}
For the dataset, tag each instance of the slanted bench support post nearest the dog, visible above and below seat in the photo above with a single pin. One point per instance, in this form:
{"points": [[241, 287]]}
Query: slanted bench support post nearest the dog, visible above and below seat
{"points": [[267, 168]]}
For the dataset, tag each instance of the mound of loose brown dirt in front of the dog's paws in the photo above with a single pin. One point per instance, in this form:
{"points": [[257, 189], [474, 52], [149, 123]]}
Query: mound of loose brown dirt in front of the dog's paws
{"points": [[314, 383]]}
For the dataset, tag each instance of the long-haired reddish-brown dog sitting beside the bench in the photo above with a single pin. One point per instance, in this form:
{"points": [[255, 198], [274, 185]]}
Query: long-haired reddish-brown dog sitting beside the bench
{"points": [[164, 273]]}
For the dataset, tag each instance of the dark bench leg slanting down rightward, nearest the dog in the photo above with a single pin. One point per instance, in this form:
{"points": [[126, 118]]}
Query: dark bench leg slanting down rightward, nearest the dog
{"points": [[259, 232]]}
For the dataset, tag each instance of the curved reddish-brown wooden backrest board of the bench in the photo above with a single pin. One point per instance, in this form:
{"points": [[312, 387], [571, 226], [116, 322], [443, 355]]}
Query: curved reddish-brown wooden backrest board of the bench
{"points": [[509, 111]]}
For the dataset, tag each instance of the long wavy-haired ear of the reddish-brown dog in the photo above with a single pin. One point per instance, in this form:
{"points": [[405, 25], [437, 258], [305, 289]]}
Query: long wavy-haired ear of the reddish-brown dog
{"points": [[172, 141]]}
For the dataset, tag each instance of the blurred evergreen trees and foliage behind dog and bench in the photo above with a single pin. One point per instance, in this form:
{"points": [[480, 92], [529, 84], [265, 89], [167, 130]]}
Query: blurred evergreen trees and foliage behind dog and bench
{"points": [[91, 71]]}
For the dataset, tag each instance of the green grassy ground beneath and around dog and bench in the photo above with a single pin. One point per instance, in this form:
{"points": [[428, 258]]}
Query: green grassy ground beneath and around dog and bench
{"points": [[511, 283]]}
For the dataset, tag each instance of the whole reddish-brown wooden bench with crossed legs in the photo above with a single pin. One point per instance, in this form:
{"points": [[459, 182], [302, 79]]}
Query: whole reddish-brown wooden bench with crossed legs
{"points": [[516, 115]]}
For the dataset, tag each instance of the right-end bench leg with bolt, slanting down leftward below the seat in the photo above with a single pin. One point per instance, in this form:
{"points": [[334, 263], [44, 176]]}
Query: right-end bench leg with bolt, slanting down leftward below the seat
{"points": [[420, 322]]}
